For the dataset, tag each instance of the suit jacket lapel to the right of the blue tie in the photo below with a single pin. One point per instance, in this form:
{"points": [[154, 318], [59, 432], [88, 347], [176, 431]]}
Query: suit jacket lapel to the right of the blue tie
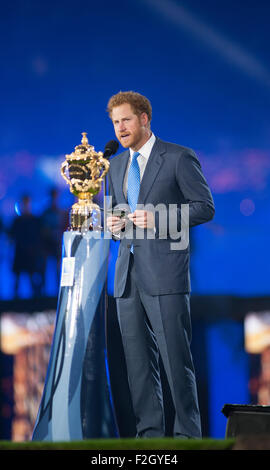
{"points": [[152, 169]]}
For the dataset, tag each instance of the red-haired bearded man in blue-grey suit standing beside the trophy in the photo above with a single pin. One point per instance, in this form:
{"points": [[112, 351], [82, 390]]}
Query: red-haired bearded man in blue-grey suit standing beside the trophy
{"points": [[152, 279]]}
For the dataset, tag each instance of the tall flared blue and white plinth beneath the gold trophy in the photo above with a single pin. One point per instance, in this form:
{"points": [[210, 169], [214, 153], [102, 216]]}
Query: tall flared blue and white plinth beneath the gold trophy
{"points": [[76, 402]]}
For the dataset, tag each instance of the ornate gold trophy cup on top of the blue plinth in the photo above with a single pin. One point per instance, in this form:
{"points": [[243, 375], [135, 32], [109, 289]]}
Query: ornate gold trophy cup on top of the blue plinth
{"points": [[84, 170]]}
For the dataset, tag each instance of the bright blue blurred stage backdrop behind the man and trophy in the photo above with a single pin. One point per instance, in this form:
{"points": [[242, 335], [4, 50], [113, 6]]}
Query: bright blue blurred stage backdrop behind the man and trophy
{"points": [[205, 67]]}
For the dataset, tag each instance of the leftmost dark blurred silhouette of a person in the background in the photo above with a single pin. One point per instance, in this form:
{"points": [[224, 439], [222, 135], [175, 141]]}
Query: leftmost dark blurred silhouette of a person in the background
{"points": [[25, 232]]}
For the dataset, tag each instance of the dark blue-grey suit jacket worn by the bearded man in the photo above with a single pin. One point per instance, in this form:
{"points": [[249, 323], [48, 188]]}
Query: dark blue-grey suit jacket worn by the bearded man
{"points": [[173, 176]]}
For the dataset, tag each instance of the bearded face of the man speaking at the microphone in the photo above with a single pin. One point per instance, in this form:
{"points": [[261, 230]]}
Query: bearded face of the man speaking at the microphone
{"points": [[131, 130]]}
